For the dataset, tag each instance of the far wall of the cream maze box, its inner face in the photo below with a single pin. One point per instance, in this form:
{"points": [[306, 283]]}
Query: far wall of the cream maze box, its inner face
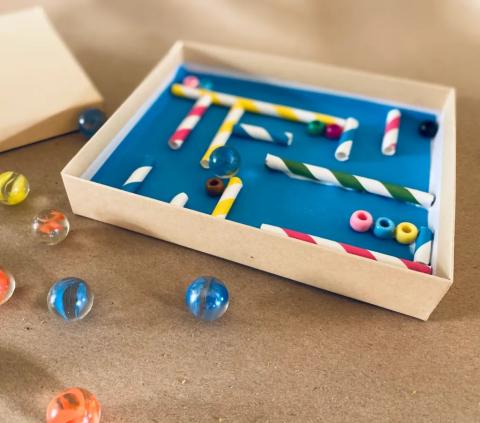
{"points": [[421, 95]]}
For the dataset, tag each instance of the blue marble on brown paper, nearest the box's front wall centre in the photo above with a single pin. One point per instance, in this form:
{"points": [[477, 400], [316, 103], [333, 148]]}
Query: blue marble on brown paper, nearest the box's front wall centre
{"points": [[207, 298]]}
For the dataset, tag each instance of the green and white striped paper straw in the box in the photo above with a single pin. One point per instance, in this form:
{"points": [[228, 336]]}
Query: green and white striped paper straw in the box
{"points": [[303, 171]]}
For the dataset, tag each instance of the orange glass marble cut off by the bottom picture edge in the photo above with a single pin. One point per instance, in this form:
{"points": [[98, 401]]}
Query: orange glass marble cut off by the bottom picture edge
{"points": [[75, 405]]}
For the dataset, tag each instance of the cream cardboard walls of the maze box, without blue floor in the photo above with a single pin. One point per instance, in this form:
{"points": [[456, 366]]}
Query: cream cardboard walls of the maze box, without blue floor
{"points": [[412, 293]]}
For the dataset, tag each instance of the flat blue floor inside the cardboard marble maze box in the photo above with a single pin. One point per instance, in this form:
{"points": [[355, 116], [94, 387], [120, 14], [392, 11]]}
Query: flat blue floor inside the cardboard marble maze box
{"points": [[272, 197]]}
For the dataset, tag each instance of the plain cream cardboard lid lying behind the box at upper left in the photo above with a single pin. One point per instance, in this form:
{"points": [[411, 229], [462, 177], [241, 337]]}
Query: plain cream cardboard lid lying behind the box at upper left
{"points": [[42, 86]]}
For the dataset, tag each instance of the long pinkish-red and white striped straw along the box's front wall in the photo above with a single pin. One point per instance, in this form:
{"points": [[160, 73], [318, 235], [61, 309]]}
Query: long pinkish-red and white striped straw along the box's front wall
{"points": [[348, 249]]}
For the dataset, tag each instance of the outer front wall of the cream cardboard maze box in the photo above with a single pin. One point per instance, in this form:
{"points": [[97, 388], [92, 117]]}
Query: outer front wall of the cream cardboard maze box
{"points": [[404, 291]]}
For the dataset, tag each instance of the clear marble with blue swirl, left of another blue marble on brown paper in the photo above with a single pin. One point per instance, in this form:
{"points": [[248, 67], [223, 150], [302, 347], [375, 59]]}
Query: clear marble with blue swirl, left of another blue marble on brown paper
{"points": [[70, 298]]}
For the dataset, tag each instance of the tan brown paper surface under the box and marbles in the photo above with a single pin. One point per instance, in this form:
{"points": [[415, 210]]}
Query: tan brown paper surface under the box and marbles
{"points": [[283, 352]]}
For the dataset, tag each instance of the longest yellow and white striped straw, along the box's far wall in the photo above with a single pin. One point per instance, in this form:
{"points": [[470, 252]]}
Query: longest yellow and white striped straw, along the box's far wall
{"points": [[257, 106]]}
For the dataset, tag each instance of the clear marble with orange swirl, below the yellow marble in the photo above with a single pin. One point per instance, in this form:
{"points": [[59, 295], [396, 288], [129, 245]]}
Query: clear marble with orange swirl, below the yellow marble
{"points": [[50, 226]]}
